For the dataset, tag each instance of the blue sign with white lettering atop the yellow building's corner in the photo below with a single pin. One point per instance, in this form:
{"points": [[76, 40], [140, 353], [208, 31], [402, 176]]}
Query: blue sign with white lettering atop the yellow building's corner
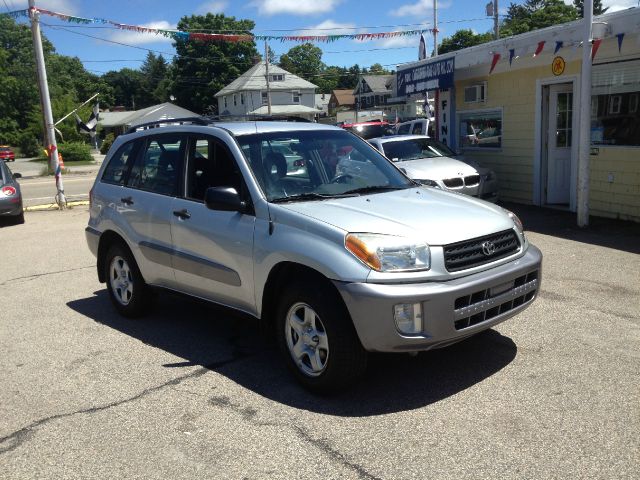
{"points": [[437, 75]]}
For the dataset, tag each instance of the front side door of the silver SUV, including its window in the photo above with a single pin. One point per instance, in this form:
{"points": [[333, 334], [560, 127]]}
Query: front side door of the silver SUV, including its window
{"points": [[213, 250]]}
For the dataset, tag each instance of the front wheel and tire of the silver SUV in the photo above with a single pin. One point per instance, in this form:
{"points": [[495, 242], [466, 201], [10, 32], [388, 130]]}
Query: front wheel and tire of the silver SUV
{"points": [[317, 338]]}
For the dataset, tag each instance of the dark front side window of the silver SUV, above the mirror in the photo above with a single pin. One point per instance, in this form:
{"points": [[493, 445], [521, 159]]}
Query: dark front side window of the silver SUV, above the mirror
{"points": [[210, 164]]}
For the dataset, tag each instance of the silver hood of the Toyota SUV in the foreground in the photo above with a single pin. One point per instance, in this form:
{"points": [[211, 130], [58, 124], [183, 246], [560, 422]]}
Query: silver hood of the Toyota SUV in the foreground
{"points": [[436, 216]]}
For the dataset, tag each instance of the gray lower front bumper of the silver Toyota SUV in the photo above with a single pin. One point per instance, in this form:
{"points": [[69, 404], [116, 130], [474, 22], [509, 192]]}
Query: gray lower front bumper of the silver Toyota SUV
{"points": [[452, 310]]}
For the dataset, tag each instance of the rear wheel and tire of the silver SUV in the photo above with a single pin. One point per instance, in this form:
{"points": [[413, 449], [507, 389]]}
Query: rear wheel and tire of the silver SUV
{"points": [[127, 289]]}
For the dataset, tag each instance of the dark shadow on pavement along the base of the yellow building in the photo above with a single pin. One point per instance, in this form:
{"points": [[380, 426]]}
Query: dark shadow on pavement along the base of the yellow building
{"points": [[605, 232]]}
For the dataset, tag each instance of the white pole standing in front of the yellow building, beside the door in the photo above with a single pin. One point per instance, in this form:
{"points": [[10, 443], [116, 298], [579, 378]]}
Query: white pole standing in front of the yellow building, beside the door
{"points": [[584, 147]]}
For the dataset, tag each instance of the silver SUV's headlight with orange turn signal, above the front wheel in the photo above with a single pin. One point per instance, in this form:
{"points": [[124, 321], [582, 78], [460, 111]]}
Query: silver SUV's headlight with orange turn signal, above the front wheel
{"points": [[389, 253]]}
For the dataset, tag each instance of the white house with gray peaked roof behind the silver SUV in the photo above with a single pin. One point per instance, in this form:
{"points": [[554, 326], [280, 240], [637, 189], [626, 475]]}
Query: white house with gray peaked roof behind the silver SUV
{"points": [[247, 94]]}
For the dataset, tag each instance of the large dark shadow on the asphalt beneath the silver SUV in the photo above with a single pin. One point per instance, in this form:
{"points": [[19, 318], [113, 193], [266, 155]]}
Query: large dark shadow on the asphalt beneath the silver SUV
{"points": [[235, 346]]}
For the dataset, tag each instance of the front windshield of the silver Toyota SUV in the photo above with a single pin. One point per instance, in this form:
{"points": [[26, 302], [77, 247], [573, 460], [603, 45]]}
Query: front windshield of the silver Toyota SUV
{"points": [[308, 165]]}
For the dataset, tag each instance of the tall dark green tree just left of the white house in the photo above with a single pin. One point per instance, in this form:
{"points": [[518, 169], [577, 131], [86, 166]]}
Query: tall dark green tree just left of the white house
{"points": [[202, 69]]}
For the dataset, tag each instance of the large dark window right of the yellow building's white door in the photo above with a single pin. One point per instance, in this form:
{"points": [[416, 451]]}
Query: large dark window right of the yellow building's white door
{"points": [[615, 117]]}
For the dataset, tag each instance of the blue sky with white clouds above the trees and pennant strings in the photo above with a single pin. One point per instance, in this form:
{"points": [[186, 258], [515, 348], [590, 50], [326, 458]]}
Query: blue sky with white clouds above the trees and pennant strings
{"points": [[272, 17]]}
